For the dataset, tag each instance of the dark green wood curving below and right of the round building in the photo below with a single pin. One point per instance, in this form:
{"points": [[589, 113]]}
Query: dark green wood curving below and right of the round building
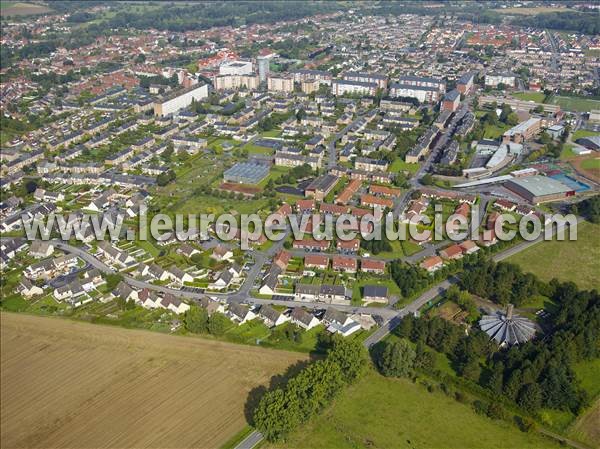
{"points": [[533, 375]]}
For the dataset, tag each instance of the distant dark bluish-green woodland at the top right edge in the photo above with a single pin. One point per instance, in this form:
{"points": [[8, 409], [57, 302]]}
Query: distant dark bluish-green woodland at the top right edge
{"points": [[586, 23]]}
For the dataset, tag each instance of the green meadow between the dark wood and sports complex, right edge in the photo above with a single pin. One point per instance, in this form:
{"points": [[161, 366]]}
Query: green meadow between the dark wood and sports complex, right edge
{"points": [[577, 261]]}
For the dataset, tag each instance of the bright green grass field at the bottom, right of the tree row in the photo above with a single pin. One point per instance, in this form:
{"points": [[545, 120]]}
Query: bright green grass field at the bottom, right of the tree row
{"points": [[383, 412]]}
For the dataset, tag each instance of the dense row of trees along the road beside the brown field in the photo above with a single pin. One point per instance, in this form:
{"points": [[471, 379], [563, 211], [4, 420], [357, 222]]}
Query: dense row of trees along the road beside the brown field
{"points": [[284, 409]]}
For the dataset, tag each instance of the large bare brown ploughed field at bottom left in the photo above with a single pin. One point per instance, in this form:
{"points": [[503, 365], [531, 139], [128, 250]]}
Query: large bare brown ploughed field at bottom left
{"points": [[68, 384]]}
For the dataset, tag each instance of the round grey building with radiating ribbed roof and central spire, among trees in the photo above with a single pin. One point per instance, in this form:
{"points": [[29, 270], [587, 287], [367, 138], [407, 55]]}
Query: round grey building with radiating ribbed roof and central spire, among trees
{"points": [[507, 328]]}
